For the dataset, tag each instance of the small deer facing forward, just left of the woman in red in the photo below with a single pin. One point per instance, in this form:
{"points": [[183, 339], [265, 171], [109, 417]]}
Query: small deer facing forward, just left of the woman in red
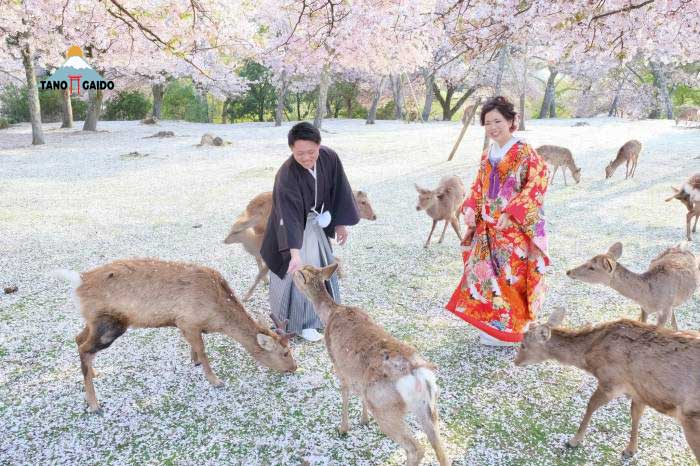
{"points": [[442, 203]]}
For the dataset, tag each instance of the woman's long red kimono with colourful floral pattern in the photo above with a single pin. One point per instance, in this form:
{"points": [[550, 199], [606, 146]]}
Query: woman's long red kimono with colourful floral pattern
{"points": [[502, 289]]}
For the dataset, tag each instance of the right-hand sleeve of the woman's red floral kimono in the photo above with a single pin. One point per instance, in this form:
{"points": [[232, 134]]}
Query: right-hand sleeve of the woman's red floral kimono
{"points": [[524, 207]]}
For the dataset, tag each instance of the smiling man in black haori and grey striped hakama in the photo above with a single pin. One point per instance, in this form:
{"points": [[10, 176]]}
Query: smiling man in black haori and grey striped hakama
{"points": [[311, 202]]}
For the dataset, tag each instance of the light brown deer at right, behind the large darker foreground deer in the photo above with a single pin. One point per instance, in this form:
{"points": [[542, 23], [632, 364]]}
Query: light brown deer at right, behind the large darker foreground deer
{"points": [[670, 280]]}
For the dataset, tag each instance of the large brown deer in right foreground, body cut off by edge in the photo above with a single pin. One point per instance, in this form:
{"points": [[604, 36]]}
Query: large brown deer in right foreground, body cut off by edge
{"points": [[653, 366]]}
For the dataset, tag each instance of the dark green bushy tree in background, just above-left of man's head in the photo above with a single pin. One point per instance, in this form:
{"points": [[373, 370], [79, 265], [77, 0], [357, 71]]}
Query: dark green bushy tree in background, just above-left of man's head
{"points": [[258, 104]]}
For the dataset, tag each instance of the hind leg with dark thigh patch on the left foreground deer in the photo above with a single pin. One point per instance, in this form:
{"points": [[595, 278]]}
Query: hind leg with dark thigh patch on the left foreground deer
{"points": [[98, 337]]}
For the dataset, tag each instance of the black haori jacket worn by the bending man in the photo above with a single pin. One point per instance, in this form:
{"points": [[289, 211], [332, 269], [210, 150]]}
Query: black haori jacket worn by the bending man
{"points": [[292, 200]]}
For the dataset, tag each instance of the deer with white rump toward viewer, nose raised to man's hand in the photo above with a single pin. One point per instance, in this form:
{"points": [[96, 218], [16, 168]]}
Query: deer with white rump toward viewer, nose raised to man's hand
{"points": [[390, 377]]}
